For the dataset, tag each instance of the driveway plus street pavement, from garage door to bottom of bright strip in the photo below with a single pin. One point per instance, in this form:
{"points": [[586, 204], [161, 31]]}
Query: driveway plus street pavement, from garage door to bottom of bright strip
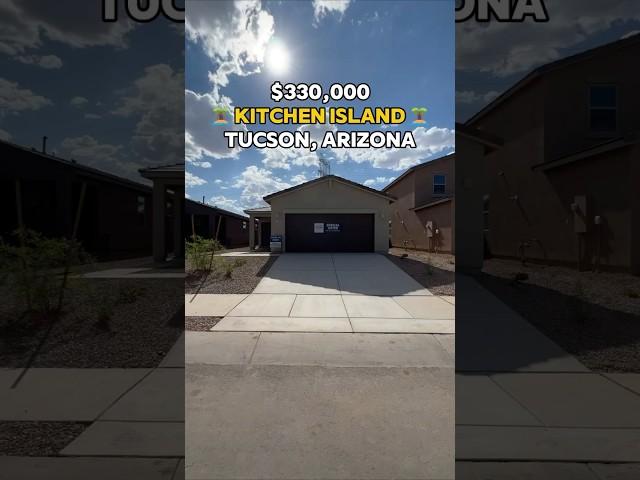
{"points": [[337, 366]]}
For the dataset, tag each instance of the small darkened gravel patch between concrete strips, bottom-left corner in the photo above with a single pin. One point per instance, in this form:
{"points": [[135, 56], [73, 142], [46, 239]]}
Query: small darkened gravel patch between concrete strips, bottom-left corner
{"points": [[37, 439]]}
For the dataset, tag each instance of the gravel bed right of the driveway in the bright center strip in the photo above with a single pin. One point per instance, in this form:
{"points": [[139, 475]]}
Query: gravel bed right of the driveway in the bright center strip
{"points": [[436, 272]]}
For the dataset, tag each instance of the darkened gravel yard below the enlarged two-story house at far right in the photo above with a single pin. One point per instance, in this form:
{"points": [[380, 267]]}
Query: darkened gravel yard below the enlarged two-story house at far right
{"points": [[593, 316]]}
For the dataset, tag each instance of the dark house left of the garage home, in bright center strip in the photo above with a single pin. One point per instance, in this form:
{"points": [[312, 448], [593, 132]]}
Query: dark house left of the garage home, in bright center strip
{"points": [[207, 221]]}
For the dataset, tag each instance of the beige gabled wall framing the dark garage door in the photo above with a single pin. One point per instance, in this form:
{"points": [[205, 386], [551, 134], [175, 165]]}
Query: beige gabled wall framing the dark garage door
{"points": [[332, 196]]}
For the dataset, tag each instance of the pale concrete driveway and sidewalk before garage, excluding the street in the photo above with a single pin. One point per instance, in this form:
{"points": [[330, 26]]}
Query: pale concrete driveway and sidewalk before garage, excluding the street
{"points": [[363, 293]]}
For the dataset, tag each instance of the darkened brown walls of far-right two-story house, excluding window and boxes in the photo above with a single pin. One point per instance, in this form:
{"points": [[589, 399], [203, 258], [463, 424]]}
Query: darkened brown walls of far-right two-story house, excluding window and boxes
{"points": [[540, 123]]}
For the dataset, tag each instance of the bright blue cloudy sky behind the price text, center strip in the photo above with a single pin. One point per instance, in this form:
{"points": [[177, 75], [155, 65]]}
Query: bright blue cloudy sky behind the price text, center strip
{"points": [[404, 50]]}
